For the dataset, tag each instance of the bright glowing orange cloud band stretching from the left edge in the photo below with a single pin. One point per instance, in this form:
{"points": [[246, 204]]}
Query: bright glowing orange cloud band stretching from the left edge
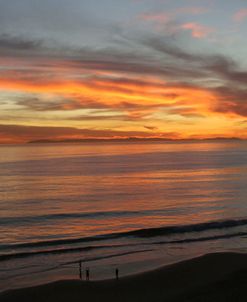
{"points": [[136, 97]]}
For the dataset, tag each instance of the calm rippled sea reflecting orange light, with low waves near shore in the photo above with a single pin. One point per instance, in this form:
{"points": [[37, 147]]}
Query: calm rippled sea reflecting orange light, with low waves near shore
{"points": [[133, 206]]}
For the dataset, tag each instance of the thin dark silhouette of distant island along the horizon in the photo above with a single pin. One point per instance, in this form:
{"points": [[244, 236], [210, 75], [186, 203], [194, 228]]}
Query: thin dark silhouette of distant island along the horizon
{"points": [[130, 139]]}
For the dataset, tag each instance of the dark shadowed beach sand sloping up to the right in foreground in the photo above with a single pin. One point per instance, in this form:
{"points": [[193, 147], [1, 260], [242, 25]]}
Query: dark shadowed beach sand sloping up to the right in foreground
{"points": [[213, 277]]}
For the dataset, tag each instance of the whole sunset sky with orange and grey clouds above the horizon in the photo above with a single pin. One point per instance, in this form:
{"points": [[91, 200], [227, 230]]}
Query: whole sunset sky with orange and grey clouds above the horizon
{"points": [[72, 69]]}
